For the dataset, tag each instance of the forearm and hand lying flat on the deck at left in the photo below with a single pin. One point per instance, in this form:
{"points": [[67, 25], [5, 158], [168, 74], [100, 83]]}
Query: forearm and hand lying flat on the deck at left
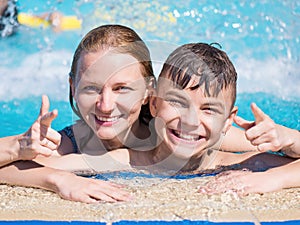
{"points": [[68, 185]]}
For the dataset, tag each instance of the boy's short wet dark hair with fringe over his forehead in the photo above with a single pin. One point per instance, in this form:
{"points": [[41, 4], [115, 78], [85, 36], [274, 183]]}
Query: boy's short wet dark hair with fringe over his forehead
{"points": [[211, 64]]}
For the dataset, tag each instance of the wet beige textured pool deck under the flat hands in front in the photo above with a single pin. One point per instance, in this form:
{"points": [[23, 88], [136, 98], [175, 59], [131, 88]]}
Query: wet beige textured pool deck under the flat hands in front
{"points": [[154, 200]]}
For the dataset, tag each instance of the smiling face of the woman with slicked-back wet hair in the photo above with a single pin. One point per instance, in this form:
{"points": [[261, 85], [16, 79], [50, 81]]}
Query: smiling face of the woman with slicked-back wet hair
{"points": [[109, 91]]}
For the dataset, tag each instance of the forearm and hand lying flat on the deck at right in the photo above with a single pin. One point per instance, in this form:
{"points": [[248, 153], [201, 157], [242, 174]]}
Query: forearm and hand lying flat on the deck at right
{"points": [[245, 182]]}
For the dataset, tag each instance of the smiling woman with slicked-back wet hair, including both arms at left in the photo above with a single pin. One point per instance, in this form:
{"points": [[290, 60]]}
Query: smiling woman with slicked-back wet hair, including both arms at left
{"points": [[110, 80]]}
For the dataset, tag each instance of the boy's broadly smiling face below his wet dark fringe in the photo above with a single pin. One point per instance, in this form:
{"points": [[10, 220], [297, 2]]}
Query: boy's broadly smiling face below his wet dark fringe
{"points": [[188, 120]]}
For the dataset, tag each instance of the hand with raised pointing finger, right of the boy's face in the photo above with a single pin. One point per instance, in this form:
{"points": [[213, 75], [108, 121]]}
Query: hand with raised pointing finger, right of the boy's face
{"points": [[263, 132]]}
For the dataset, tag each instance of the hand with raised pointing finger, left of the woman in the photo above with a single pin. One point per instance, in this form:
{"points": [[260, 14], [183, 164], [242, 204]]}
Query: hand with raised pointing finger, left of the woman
{"points": [[40, 139]]}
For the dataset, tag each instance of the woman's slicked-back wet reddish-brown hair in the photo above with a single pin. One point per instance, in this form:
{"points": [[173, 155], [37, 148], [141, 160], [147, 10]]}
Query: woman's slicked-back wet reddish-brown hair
{"points": [[124, 40]]}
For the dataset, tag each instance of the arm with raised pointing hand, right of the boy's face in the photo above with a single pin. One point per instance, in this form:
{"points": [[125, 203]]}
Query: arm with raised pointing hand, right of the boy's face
{"points": [[263, 134]]}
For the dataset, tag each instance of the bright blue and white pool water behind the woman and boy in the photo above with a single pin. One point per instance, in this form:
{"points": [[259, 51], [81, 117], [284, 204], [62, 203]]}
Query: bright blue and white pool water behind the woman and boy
{"points": [[261, 38]]}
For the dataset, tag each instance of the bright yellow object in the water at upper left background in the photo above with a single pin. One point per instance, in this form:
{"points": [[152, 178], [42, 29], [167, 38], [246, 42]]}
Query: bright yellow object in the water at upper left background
{"points": [[67, 22]]}
